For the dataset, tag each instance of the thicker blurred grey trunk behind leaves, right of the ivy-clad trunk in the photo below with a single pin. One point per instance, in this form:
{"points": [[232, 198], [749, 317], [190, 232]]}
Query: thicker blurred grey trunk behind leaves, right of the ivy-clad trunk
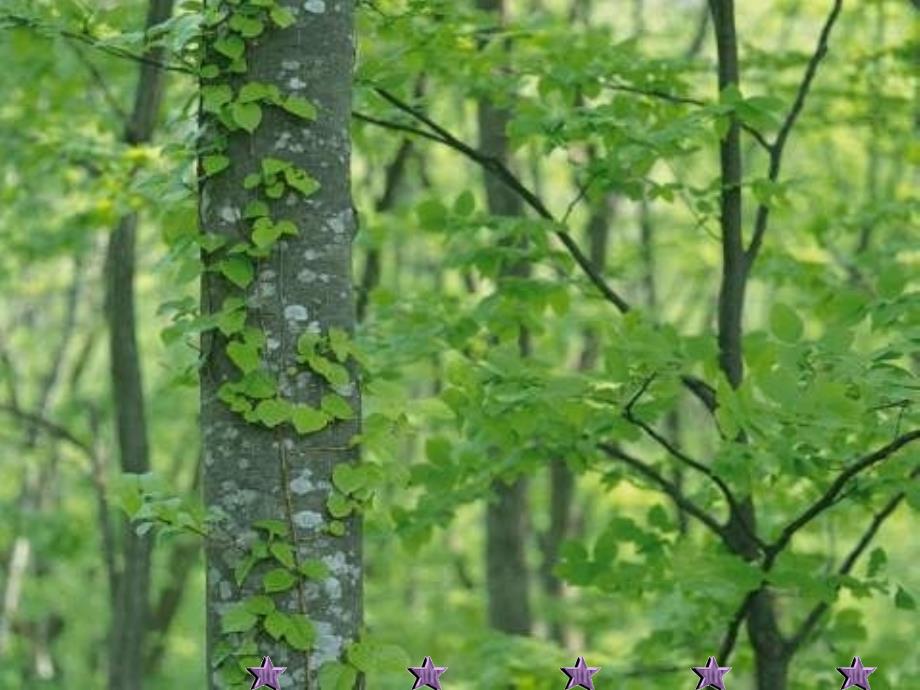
{"points": [[507, 577]]}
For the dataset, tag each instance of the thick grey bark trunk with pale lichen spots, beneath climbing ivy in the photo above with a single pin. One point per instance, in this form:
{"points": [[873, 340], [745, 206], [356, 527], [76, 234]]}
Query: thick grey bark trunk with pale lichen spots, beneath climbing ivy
{"points": [[252, 472]]}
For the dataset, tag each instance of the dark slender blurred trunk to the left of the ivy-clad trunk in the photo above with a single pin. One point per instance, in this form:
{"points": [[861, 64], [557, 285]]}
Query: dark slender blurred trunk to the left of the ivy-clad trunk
{"points": [[129, 618]]}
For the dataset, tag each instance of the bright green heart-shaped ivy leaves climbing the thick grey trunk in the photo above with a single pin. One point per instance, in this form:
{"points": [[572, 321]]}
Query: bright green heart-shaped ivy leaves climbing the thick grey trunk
{"points": [[229, 107]]}
